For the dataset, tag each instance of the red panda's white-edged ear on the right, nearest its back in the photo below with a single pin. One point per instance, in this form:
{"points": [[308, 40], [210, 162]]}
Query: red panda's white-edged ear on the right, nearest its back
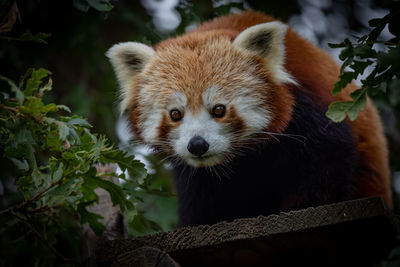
{"points": [[267, 40]]}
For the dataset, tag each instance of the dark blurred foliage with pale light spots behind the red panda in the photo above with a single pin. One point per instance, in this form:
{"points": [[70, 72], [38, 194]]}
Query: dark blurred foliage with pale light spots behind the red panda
{"points": [[73, 36]]}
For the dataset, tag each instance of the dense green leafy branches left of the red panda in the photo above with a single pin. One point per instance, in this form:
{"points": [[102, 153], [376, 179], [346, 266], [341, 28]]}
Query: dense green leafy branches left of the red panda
{"points": [[49, 175]]}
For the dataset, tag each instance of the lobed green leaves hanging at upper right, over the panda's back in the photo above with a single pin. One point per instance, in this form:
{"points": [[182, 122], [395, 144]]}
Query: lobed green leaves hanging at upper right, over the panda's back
{"points": [[384, 65]]}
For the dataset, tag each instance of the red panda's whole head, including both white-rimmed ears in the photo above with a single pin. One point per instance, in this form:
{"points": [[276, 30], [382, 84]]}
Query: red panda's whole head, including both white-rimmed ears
{"points": [[203, 96]]}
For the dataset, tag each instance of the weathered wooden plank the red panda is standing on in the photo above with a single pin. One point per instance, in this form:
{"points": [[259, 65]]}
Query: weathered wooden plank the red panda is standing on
{"points": [[353, 232]]}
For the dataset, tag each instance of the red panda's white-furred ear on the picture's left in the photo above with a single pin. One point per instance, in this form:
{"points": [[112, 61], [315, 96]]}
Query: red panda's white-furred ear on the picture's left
{"points": [[128, 59]]}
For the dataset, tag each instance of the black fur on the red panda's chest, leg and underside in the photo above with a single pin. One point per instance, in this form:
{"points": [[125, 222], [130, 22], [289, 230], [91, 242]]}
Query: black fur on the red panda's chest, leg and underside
{"points": [[315, 166]]}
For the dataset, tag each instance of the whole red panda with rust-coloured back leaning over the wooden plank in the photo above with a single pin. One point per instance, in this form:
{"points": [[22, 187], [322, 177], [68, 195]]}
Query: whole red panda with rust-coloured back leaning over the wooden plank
{"points": [[239, 106]]}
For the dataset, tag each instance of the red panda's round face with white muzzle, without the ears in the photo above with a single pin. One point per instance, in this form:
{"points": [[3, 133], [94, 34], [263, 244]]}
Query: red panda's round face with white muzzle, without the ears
{"points": [[201, 104]]}
